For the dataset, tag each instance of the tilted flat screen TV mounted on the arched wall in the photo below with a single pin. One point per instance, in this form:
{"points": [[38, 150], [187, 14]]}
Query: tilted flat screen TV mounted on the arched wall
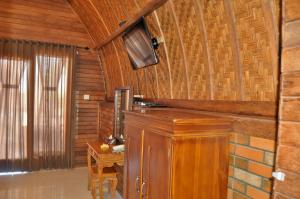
{"points": [[138, 44]]}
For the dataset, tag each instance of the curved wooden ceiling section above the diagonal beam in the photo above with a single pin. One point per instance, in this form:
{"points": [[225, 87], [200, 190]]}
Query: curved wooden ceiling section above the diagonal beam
{"points": [[101, 18]]}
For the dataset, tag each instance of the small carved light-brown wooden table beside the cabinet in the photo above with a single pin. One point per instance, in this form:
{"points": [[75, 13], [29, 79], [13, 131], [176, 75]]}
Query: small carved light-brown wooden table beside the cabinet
{"points": [[103, 159]]}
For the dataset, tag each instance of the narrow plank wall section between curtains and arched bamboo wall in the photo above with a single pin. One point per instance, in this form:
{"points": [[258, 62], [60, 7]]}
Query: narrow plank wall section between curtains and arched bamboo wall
{"points": [[89, 80]]}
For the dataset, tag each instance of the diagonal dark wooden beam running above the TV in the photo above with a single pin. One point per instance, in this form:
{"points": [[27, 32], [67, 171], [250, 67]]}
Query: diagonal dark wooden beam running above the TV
{"points": [[146, 10]]}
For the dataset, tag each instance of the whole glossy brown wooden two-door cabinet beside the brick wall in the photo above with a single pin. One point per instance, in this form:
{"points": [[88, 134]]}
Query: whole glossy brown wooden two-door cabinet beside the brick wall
{"points": [[174, 153]]}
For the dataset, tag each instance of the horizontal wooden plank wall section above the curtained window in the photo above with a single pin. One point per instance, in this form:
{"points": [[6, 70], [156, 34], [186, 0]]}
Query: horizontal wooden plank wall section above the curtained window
{"points": [[42, 20]]}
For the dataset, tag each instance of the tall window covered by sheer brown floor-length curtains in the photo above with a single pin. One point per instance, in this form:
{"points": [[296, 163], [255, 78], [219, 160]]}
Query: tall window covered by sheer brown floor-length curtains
{"points": [[35, 98]]}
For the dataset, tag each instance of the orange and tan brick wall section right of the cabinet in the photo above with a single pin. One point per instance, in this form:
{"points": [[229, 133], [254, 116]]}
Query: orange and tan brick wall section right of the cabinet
{"points": [[251, 165]]}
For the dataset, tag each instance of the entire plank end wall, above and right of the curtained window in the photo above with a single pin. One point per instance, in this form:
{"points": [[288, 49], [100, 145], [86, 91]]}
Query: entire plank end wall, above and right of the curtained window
{"points": [[54, 21]]}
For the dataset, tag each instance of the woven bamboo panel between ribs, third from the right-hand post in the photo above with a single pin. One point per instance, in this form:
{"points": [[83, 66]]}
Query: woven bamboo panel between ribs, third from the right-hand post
{"points": [[192, 38]]}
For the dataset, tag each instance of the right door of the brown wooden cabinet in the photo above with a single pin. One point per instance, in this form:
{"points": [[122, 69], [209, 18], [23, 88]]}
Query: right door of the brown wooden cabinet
{"points": [[156, 166]]}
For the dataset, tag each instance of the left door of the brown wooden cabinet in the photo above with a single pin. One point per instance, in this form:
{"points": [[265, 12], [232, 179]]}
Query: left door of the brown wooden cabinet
{"points": [[132, 166]]}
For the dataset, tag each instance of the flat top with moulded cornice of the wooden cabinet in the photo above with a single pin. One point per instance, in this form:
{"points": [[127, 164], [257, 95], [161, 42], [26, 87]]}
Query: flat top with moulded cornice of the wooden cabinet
{"points": [[178, 121]]}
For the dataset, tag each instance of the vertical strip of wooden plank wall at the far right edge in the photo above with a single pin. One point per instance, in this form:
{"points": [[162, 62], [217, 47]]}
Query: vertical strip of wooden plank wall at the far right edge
{"points": [[288, 150]]}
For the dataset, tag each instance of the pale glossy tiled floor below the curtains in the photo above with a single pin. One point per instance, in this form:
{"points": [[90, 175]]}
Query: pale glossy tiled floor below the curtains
{"points": [[59, 184]]}
